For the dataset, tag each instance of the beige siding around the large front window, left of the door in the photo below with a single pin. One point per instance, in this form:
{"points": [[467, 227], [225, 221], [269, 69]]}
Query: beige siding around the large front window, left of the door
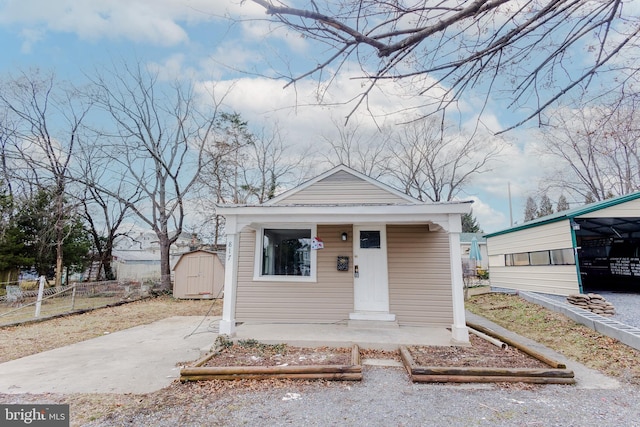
{"points": [[328, 300]]}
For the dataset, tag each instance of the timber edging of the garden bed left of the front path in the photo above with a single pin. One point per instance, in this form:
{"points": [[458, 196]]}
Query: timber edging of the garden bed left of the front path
{"points": [[197, 372]]}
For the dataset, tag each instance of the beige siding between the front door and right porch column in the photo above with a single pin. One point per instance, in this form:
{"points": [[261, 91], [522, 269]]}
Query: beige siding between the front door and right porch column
{"points": [[419, 275]]}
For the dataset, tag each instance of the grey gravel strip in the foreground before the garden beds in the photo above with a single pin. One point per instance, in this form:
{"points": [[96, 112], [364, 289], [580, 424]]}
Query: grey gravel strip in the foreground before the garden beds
{"points": [[386, 397]]}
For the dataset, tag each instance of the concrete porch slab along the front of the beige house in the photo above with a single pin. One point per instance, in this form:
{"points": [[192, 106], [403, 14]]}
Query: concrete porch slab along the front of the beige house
{"points": [[341, 335]]}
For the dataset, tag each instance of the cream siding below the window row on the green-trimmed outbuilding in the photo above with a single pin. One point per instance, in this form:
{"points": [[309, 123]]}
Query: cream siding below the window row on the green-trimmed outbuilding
{"points": [[553, 279]]}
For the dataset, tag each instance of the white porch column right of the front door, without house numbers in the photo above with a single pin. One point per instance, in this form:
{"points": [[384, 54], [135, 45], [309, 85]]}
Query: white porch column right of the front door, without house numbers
{"points": [[459, 329]]}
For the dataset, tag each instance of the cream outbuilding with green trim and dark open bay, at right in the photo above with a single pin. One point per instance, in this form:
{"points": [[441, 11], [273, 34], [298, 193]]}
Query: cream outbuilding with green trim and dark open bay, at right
{"points": [[595, 247]]}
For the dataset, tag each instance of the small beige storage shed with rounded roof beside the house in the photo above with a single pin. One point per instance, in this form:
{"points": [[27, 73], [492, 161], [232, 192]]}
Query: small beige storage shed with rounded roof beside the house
{"points": [[199, 274]]}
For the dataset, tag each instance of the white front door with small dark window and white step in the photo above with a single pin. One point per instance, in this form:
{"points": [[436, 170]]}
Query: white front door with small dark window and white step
{"points": [[370, 282]]}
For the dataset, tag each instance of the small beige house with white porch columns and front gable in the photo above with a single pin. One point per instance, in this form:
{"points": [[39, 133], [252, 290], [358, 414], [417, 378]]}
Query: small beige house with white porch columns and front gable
{"points": [[342, 247]]}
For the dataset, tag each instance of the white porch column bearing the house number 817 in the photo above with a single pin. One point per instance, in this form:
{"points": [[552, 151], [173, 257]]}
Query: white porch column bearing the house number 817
{"points": [[228, 322]]}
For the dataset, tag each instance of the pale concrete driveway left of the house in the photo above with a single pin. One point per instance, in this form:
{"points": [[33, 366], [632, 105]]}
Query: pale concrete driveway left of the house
{"points": [[137, 360]]}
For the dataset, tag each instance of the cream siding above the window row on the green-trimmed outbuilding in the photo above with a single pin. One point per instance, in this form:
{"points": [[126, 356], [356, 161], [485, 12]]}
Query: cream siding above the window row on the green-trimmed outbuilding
{"points": [[556, 235]]}
